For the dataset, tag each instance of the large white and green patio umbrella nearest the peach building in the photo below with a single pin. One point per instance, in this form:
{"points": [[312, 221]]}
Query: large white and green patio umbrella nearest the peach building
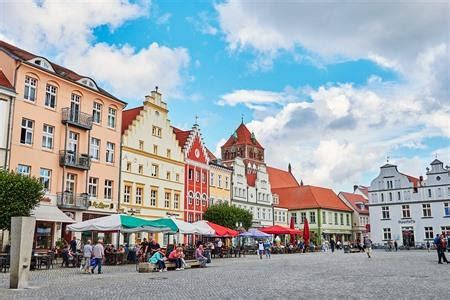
{"points": [[118, 222]]}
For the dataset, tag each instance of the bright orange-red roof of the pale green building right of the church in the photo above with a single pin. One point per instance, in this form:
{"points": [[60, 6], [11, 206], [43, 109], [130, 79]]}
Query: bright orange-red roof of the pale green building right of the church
{"points": [[308, 196]]}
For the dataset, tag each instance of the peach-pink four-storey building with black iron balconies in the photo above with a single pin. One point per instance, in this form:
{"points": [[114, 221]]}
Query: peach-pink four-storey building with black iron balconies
{"points": [[65, 131]]}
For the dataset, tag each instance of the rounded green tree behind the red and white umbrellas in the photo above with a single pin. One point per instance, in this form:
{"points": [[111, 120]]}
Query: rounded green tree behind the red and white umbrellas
{"points": [[226, 215]]}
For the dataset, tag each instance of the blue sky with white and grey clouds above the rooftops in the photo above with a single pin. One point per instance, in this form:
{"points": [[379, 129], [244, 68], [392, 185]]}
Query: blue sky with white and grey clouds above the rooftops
{"points": [[335, 89]]}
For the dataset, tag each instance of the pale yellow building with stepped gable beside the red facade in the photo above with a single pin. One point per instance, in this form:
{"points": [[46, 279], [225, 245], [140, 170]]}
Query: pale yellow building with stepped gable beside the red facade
{"points": [[152, 177]]}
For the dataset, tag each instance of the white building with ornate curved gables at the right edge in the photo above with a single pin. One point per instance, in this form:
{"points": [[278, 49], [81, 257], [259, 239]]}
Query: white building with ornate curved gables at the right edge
{"points": [[407, 209]]}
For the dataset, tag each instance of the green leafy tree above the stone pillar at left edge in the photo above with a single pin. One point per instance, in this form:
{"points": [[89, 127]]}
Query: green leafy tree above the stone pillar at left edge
{"points": [[18, 196]]}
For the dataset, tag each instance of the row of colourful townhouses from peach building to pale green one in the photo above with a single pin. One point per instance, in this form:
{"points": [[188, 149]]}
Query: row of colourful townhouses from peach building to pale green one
{"points": [[95, 158]]}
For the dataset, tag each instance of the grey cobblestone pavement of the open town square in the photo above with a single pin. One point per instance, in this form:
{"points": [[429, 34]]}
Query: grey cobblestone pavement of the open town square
{"points": [[402, 275]]}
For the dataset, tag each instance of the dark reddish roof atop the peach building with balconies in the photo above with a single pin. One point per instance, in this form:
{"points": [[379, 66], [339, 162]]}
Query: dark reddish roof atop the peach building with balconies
{"points": [[60, 70]]}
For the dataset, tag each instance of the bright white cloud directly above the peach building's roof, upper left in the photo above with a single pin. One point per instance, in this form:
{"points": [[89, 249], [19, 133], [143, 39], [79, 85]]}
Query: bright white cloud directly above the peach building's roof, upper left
{"points": [[63, 31]]}
